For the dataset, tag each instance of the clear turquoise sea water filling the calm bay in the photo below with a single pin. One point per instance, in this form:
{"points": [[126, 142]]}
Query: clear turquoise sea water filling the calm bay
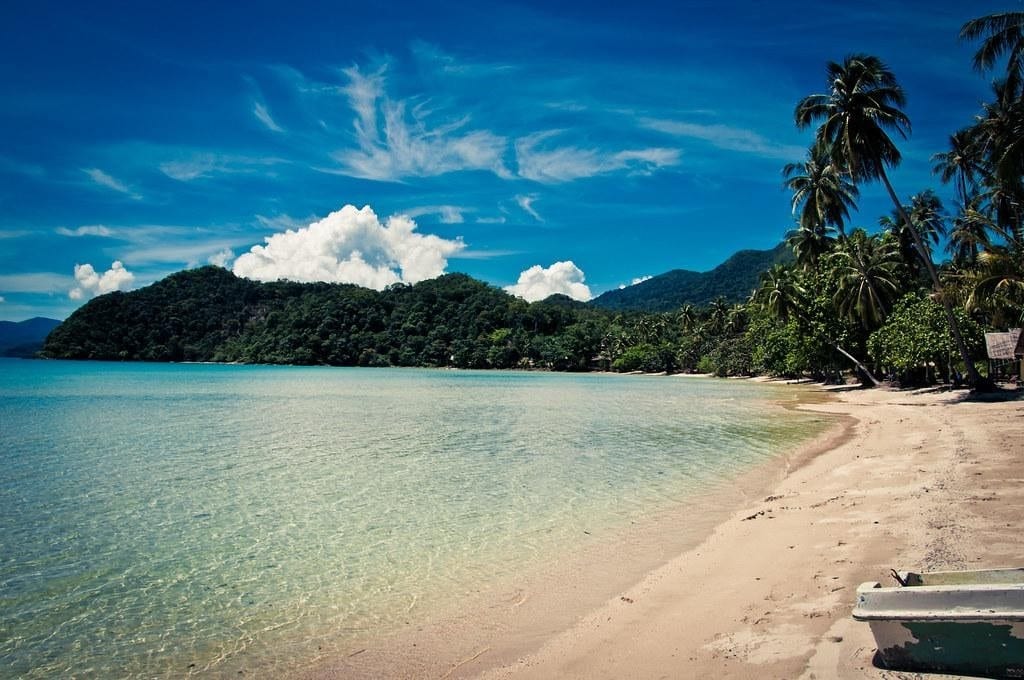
{"points": [[158, 521]]}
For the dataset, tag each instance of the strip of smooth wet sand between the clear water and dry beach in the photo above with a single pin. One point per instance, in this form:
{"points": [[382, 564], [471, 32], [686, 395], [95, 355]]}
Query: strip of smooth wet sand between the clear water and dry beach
{"points": [[507, 620]]}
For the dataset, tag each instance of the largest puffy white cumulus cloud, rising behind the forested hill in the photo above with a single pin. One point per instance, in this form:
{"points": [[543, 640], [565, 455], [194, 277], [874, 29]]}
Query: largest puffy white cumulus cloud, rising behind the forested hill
{"points": [[351, 246]]}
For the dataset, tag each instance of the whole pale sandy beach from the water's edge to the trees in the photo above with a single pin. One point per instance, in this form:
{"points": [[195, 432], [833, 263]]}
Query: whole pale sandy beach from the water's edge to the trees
{"points": [[762, 586]]}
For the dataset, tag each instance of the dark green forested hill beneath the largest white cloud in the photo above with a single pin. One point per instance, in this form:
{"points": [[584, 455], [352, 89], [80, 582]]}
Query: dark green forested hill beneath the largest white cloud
{"points": [[208, 315]]}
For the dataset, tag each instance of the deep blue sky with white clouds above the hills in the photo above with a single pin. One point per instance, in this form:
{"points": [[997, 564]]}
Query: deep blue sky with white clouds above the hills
{"points": [[552, 147]]}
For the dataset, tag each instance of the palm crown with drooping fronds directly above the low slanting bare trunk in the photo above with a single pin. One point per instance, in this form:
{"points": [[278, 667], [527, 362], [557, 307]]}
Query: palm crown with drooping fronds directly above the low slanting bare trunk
{"points": [[868, 273]]}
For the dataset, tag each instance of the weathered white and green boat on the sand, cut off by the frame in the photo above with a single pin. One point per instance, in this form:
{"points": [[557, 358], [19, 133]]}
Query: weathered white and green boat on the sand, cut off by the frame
{"points": [[968, 623]]}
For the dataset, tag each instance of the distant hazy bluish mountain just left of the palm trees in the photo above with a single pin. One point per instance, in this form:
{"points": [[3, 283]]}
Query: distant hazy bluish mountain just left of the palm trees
{"points": [[734, 280]]}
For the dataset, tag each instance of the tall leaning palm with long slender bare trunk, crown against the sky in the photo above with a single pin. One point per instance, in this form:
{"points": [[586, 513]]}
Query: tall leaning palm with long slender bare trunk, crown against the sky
{"points": [[861, 108]]}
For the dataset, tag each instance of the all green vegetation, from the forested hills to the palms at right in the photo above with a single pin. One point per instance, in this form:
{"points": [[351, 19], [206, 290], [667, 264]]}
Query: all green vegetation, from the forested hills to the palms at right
{"points": [[832, 300]]}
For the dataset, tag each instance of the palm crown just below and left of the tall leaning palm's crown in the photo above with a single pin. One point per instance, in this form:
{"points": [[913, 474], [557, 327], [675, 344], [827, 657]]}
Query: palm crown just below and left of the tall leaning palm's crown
{"points": [[826, 193]]}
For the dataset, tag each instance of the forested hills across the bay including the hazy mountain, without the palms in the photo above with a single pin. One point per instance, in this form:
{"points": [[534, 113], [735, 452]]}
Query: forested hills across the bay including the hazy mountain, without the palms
{"points": [[209, 315]]}
